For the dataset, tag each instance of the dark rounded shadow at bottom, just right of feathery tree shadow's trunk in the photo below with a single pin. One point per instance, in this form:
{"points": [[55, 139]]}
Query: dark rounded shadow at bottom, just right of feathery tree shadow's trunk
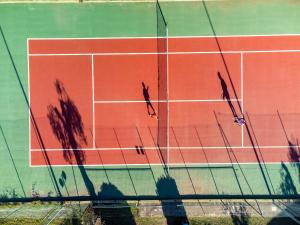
{"points": [[113, 213]]}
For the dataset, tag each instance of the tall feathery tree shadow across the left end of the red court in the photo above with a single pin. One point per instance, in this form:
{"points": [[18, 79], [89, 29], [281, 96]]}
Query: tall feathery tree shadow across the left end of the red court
{"points": [[68, 128]]}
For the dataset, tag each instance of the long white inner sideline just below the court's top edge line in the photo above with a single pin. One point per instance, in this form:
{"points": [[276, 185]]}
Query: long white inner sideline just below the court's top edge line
{"points": [[169, 53]]}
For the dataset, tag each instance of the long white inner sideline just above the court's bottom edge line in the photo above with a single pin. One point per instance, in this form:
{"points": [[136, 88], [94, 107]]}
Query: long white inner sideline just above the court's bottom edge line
{"points": [[154, 148]]}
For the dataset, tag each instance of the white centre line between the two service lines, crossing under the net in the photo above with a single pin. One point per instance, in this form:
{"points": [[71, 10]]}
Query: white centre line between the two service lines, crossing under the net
{"points": [[164, 101]]}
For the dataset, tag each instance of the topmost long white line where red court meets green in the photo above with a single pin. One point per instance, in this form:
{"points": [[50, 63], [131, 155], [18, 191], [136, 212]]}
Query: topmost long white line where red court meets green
{"points": [[175, 36]]}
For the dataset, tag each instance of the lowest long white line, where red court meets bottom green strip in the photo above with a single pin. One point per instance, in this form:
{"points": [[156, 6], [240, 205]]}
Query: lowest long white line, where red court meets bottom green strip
{"points": [[203, 165]]}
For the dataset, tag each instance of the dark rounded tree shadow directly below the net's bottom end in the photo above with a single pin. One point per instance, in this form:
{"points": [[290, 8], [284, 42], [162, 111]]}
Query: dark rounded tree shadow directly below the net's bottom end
{"points": [[173, 211]]}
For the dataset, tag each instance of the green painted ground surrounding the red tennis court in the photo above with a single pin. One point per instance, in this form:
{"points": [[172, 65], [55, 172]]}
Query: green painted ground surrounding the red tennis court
{"points": [[22, 21]]}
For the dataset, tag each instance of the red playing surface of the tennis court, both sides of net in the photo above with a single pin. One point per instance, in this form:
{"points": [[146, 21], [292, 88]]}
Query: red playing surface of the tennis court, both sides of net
{"points": [[103, 100]]}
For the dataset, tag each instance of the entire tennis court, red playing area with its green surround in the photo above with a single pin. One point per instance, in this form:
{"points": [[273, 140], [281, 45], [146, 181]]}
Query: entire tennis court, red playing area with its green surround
{"points": [[116, 97]]}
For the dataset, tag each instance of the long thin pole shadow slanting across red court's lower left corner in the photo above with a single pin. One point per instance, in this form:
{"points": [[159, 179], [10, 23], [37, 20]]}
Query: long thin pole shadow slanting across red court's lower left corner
{"points": [[33, 121]]}
